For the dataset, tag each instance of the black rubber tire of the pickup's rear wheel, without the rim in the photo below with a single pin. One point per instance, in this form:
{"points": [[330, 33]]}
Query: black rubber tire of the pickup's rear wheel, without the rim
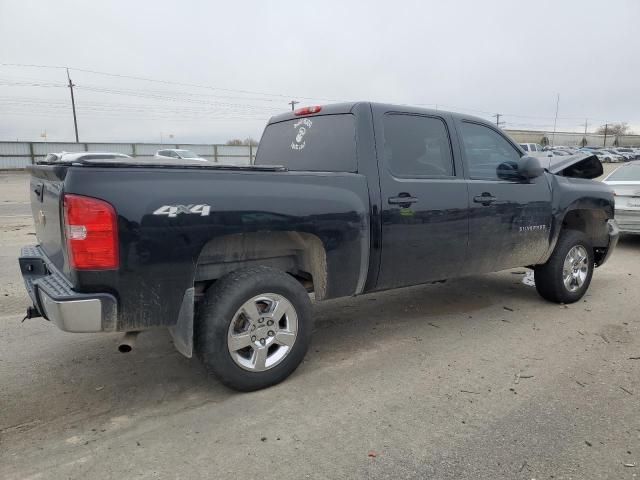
{"points": [[223, 300]]}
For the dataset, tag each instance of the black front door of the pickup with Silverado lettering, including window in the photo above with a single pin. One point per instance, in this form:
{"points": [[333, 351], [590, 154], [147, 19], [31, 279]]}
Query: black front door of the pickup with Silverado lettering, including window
{"points": [[510, 217]]}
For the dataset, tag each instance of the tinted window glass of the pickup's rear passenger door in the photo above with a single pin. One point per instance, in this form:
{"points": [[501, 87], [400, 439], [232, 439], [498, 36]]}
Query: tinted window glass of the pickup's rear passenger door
{"points": [[416, 146]]}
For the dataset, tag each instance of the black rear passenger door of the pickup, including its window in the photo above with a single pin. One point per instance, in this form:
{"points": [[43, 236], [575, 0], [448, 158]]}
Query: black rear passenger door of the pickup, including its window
{"points": [[424, 200]]}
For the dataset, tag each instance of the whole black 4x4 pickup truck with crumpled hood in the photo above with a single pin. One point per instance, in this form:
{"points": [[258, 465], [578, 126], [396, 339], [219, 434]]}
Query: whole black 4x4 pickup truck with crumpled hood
{"points": [[342, 200]]}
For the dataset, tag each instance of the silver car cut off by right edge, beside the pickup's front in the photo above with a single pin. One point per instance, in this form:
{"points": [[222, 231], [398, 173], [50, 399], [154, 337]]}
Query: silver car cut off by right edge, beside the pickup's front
{"points": [[625, 182]]}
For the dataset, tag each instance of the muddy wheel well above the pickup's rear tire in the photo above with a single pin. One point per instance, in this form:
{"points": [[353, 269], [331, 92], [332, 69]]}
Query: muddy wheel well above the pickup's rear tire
{"points": [[302, 255]]}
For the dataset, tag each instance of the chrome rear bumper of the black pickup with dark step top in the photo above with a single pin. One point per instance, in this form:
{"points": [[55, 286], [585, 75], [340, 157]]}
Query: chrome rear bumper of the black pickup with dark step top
{"points": [[55, 300]]}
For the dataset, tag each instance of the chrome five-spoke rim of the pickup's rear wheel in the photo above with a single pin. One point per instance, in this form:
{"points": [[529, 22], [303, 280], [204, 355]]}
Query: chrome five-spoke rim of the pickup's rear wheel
{"points": [[262, 332]]}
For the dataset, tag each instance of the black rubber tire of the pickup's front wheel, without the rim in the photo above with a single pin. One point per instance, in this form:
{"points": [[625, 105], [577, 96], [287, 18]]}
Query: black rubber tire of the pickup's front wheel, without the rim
{"points": [[549, 277]]}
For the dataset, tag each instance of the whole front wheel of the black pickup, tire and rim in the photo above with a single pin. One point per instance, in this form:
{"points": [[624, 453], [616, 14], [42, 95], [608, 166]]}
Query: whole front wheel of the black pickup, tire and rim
{"points": [[567, 274]]}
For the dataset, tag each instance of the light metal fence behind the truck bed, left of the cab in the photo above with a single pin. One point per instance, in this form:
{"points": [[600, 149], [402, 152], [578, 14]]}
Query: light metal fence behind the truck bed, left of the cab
{"points": [[17, 155]]}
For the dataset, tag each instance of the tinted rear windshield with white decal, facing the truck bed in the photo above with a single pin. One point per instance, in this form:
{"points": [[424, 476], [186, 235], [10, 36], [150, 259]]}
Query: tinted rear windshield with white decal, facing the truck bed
{"points": [[318, 143]]}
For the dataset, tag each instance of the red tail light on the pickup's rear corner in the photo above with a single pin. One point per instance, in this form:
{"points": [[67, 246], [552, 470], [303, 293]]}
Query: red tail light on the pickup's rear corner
{"points": [[92, 233]]}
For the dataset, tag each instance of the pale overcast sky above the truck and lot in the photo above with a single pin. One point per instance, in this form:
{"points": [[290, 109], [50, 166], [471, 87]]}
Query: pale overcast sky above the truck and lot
{"points": [[209, 71]]}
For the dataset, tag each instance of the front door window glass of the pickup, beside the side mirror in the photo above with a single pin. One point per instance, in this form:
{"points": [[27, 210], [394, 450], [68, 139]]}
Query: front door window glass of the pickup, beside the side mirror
{"points": [[489, 155]]}
